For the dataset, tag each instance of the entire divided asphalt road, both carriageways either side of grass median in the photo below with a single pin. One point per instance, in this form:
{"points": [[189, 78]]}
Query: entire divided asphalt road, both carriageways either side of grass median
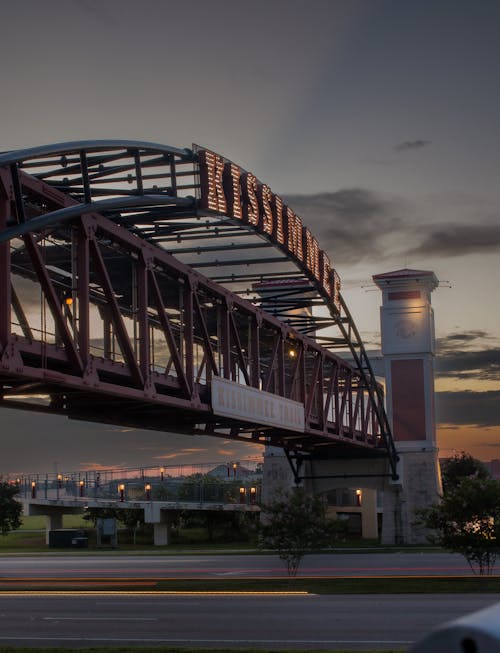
{"points": [[353, 622]]}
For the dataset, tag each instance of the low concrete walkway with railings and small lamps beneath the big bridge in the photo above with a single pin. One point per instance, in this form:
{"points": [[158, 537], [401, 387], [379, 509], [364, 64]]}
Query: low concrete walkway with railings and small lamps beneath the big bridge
{"points": [[158, 492]]}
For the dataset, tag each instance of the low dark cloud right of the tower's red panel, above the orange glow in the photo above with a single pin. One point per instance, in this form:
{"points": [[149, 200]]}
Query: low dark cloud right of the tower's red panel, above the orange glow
{"points": [[468, 408]]}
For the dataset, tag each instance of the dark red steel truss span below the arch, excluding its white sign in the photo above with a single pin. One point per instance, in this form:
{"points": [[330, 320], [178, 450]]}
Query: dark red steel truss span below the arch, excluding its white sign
{"points": [[99, 323]]}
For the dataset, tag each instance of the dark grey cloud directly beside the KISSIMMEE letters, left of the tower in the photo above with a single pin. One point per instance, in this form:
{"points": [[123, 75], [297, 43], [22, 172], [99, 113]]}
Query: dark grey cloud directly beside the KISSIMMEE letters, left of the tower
{"points": [[351, 223]]}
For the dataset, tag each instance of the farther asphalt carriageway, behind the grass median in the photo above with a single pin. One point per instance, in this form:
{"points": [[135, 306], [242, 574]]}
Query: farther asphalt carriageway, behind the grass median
{"points": [[209, 566]]}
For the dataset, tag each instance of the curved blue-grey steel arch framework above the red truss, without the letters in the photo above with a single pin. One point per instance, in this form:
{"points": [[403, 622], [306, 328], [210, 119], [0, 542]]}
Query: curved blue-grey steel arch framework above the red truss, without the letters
{"points": [[154, 191]]}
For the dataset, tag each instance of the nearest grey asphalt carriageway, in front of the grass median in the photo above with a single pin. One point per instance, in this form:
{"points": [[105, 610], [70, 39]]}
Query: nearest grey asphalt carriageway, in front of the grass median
{"points": [[312, 622]]}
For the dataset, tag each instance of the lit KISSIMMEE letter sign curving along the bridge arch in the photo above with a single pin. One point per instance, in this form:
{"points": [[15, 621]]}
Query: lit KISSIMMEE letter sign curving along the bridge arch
{"points": [[231, 191]]}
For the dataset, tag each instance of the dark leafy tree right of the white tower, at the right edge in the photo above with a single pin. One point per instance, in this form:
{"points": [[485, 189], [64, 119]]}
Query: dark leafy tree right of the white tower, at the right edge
{"points": [[467, 520]]}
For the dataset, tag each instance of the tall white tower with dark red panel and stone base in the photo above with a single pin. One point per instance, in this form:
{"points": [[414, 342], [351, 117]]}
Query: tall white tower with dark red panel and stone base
{"points": [[408, 349]]}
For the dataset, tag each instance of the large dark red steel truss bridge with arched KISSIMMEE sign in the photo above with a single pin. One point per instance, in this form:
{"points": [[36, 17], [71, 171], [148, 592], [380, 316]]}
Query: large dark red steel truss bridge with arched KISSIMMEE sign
{"points": [[163, 288]]}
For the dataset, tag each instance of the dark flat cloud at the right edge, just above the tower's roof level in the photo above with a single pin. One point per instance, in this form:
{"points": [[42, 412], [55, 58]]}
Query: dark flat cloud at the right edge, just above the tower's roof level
{"points": [[457, 240]]}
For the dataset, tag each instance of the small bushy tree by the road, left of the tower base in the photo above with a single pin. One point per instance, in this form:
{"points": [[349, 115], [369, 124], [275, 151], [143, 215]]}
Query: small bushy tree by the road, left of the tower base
{"points": [[294, 524]]}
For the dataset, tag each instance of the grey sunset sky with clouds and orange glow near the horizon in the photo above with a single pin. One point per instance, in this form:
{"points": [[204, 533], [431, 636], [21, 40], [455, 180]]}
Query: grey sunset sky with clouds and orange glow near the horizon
{"points": [[378, 121]]}
